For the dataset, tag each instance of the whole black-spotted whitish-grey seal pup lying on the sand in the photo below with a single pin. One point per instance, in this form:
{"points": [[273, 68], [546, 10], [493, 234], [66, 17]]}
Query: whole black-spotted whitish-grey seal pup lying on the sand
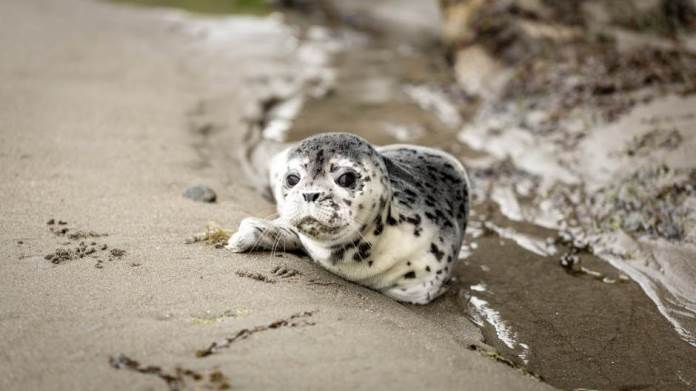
{"points": [[390, 218]]}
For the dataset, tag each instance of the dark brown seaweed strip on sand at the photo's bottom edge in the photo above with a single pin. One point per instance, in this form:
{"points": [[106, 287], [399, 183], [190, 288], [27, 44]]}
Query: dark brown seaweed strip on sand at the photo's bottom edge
{"points": [[176, 381]]}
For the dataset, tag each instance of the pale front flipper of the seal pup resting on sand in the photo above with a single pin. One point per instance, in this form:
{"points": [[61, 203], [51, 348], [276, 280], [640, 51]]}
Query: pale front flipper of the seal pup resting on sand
{"points": [[258, 235]]}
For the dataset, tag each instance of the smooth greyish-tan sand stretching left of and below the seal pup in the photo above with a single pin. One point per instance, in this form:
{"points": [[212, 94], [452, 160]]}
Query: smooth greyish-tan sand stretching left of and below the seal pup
{"points": [[108, 114]]}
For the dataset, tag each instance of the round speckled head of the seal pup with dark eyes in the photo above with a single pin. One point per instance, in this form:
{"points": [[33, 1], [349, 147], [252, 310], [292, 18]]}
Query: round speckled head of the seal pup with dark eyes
{"points": [[331, 186]]}
